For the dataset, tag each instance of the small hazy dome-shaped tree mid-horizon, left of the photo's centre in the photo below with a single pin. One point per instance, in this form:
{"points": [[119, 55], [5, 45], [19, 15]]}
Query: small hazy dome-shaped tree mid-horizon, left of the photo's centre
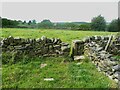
{"points": [[45, 24]]}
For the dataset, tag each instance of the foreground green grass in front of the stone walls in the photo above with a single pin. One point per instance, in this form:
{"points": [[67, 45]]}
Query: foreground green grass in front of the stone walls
{"points": [[65, 74]]}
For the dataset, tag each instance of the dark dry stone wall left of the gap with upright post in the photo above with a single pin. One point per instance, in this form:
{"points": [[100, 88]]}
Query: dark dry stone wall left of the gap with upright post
{"points": [[35, 47]]}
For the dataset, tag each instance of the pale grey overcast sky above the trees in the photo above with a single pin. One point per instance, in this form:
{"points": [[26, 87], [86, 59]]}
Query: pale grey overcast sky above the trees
{"points": [[59, 11]]}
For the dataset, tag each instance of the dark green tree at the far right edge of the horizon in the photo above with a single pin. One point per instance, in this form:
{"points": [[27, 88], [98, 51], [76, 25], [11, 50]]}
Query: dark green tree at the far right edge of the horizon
{"points": [[114, 26]]}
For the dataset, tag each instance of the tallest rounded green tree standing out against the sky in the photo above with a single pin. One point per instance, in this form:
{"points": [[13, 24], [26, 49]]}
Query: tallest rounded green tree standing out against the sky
{"points": [[98, 23]]}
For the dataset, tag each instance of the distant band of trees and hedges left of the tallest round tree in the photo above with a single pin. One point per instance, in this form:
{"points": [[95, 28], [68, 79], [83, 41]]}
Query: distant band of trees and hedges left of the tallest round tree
{"points": [[45, 24]]}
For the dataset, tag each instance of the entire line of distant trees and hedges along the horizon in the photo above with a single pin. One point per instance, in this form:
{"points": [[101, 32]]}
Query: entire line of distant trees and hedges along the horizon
{"points": [[97, 23]]}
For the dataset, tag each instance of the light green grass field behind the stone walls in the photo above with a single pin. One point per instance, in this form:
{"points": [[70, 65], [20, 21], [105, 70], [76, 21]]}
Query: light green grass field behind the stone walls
{"points": [[64, 35]]}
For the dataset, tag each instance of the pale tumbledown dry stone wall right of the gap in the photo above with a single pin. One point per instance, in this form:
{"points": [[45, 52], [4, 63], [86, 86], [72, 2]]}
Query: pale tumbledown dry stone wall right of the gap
{"points": [[95, 49]]}
